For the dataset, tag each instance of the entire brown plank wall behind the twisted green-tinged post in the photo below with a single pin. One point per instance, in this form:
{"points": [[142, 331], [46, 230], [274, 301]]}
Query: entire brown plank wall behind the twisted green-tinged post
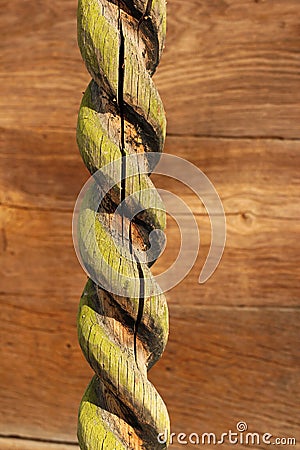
{"points": [[230, 81]]}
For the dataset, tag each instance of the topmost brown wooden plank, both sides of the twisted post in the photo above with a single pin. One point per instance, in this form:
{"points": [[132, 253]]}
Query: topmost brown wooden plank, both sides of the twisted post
{"points": [[236, 72]]}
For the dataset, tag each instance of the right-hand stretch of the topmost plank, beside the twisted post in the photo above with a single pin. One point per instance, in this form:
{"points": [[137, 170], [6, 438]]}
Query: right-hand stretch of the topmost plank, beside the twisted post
{"points": [[231, 68]]}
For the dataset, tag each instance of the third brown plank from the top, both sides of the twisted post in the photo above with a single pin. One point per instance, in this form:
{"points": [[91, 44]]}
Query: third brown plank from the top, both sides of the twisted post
{"points": [[259, 267]]}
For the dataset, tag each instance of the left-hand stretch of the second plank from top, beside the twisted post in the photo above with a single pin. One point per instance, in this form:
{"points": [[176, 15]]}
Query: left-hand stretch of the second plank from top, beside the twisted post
{"points": [[45, 169]]}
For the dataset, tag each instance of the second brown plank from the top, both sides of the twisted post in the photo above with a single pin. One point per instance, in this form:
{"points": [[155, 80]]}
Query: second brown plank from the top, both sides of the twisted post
{"points": [[256, 176]]}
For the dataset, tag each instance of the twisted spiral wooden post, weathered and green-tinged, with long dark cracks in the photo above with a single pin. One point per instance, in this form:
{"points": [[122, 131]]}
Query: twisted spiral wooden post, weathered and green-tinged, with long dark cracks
{"points": [[122, 114]]}
